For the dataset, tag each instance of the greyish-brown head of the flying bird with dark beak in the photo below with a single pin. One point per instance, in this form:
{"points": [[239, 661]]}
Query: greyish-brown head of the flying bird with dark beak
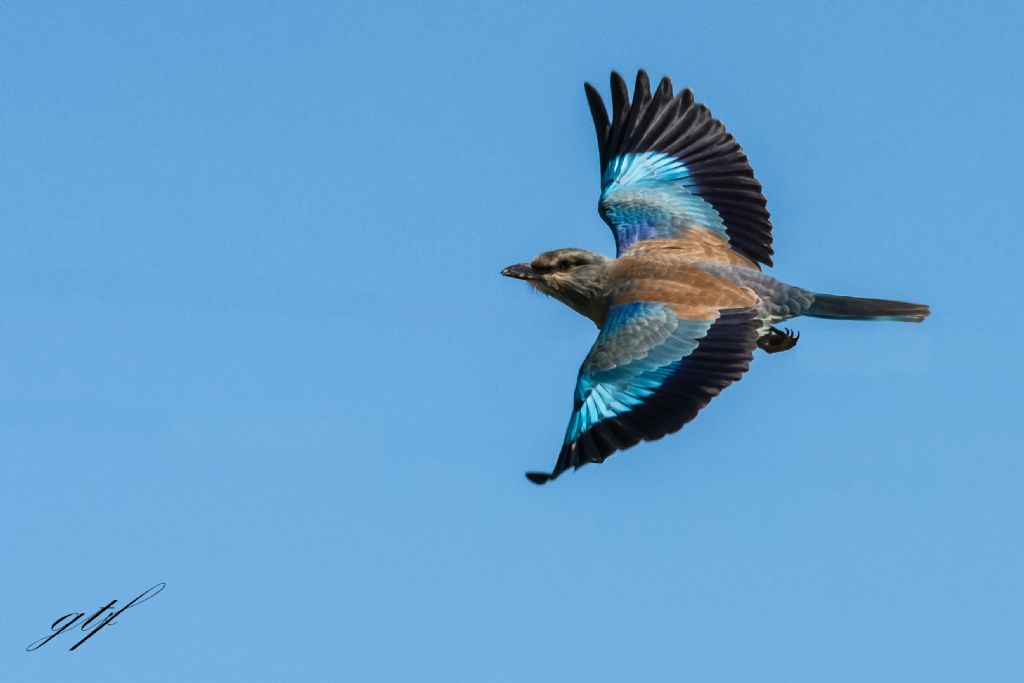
{"points": [[576, 277]]}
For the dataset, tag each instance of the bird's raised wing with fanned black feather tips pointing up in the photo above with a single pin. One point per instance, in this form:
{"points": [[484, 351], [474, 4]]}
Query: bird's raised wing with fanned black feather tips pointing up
{"points": [[668, 166]]}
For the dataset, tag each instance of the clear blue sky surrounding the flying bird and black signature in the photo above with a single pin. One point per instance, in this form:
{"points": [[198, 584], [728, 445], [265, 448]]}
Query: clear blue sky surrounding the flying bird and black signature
{"points": [[254, 345]]}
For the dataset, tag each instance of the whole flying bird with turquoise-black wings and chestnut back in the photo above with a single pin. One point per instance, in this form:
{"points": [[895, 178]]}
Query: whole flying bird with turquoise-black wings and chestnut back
{"points": [[685, 303]]}
